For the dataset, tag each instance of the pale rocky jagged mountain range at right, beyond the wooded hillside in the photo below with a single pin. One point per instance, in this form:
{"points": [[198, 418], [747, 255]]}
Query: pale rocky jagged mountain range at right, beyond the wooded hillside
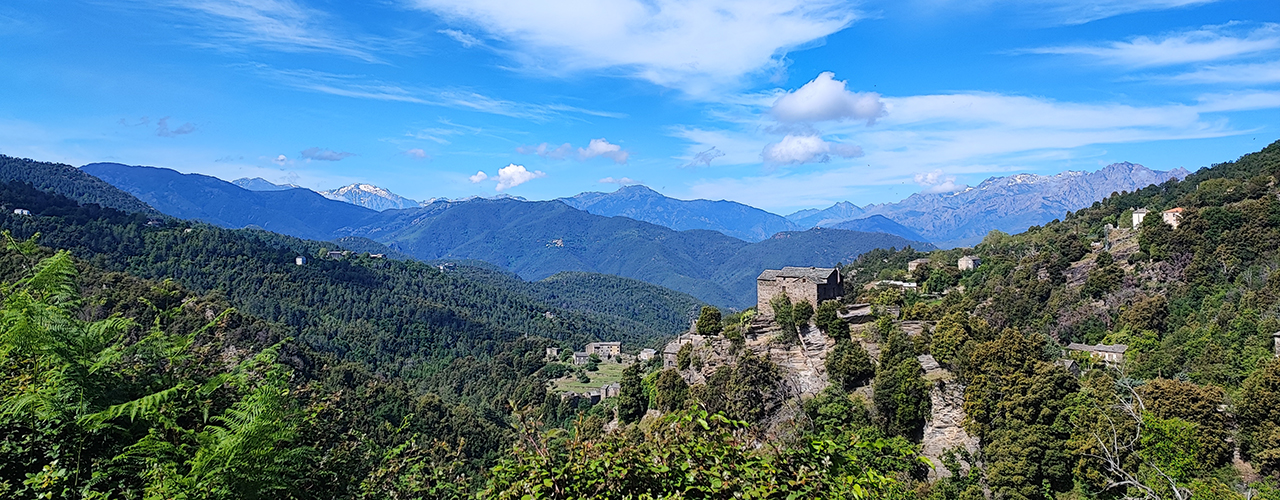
{"points": [[1013, 204]]}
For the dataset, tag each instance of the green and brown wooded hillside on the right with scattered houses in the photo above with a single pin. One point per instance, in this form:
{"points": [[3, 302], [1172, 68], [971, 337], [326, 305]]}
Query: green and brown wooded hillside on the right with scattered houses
{"points": [[1197, 308]]}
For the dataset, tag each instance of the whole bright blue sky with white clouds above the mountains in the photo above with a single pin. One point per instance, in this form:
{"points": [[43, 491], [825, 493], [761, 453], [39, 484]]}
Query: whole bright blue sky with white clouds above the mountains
{"points": [[783, 105]]}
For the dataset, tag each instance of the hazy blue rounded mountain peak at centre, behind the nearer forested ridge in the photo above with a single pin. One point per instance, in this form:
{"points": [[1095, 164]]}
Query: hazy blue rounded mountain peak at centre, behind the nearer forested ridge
{"points": [[639, 203]]}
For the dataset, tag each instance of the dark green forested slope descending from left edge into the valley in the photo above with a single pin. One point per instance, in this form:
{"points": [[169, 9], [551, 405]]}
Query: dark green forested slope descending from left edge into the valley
{"points": [[438, 331]]}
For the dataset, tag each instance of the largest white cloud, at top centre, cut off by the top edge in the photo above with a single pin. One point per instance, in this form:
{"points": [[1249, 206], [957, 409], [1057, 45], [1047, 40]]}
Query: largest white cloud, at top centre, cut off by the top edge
{"points": [[697, 47]]}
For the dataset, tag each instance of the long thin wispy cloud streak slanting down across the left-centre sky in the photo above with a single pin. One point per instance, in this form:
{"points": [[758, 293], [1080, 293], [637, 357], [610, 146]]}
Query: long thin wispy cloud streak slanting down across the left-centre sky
{"points": [[363, 88]]}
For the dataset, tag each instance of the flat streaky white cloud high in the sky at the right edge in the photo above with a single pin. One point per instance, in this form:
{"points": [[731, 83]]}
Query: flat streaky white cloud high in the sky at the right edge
{"points": [[1208, 44]]}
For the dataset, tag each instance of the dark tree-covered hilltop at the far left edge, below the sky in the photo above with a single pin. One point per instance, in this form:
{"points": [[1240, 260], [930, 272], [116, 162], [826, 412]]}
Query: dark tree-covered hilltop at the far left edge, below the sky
{"points": [[70, 182]]}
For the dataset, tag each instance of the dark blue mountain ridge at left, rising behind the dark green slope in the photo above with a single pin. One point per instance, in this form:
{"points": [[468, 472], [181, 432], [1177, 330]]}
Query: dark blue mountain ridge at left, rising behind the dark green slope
{"points": [[298, 213]]}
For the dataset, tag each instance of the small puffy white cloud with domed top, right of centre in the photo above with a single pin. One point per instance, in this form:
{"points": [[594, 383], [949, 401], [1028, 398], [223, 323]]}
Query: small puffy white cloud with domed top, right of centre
{"points": [[826, 99]]}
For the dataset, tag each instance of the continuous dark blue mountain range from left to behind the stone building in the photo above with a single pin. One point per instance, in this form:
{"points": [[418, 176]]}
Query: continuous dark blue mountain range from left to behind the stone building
{"points": [[533, 240]]}
